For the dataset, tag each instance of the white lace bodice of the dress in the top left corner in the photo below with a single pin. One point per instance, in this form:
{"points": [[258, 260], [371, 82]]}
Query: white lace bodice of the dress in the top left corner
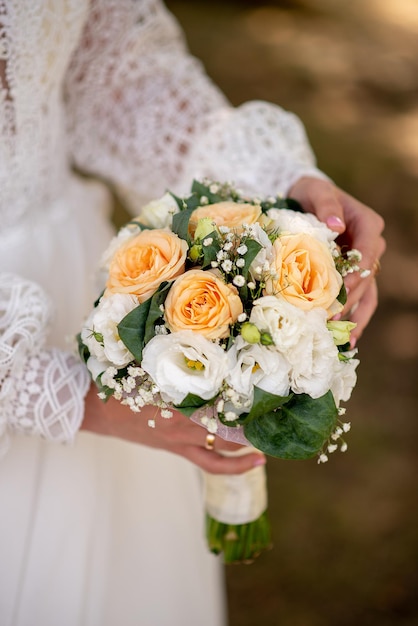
{"points": [[36, 42]]}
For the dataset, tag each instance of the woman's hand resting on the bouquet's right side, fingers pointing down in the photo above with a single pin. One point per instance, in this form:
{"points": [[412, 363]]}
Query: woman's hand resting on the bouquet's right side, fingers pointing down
{"points": [[361, 228]]}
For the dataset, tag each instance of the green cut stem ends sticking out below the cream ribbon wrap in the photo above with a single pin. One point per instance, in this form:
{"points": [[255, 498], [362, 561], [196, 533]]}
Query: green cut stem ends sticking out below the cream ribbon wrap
{"points": [[239, 543]]}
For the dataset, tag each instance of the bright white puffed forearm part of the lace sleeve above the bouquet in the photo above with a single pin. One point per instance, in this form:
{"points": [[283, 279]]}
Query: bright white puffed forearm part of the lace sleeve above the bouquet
{"points": [[259, 147]]}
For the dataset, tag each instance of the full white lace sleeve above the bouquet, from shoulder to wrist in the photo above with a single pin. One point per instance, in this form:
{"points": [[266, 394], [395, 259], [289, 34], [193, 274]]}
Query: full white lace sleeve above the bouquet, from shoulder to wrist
{"points": [[142, 113]]}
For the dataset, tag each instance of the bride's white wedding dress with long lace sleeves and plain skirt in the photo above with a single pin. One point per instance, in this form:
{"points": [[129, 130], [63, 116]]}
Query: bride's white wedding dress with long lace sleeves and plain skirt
{"points": [[94, 531]]}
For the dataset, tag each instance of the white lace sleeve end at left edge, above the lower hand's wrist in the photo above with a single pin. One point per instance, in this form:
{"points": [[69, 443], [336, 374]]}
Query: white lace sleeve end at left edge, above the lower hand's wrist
{"points": [[41, 391]]}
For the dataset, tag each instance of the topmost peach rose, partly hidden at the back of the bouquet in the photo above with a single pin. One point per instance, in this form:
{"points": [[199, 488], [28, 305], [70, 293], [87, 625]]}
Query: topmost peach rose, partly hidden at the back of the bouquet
{"points": [[231, 214]]}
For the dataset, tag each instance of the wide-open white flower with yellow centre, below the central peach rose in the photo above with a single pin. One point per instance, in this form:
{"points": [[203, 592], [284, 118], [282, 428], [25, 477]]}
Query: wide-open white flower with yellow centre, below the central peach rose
{"points": [[185, 362]]}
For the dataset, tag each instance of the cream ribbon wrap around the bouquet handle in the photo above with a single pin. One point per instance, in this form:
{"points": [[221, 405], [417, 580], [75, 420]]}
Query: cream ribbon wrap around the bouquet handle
{"points": [[237, 498]]}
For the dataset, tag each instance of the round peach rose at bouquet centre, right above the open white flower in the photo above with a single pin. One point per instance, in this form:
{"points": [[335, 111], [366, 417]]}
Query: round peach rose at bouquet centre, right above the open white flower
{"points": [[202, 302]]}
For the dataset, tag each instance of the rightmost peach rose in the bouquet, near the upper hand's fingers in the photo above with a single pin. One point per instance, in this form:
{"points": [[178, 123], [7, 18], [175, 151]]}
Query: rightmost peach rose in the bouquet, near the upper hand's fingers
{"points": [[303, 272]]}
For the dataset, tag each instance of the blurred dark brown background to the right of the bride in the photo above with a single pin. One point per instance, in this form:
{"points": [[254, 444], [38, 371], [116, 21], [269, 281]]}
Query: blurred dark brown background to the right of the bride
{"points": [[345, 533]]}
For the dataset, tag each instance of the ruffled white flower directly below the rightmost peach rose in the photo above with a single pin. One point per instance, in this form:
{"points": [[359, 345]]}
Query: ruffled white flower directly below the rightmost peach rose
{"points": [[314, 358]]}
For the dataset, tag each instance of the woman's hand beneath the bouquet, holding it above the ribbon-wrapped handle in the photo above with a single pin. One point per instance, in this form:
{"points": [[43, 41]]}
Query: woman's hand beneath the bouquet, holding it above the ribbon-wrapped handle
{"points": [[176, 434]]}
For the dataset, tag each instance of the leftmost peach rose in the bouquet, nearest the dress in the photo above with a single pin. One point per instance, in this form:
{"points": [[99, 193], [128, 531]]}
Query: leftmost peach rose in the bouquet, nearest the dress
{"points": [[141, 264]]}
